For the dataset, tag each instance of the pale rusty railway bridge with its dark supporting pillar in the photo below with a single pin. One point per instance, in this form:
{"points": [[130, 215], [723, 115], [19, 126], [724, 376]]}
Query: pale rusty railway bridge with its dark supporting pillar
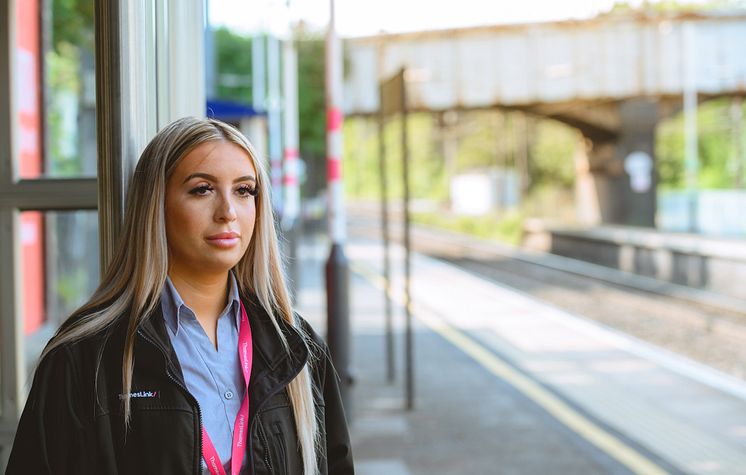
{"points": [[612, 78]]}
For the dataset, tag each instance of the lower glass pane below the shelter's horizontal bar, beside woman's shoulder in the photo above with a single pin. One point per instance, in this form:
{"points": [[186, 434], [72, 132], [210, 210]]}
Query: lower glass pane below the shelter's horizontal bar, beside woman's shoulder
{"points": [[59, 271]]}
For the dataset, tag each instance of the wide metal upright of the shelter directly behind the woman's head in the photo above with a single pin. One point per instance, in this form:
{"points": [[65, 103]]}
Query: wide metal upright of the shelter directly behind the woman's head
{"points": [[126, 108]]}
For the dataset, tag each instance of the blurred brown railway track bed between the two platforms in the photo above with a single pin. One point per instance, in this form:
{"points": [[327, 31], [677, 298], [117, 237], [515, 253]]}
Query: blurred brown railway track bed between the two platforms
{"points": [[711, 334]]}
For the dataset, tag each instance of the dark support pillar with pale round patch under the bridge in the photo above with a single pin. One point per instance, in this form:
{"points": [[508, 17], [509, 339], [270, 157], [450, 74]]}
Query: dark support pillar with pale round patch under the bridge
{"points": [[616, 179]]}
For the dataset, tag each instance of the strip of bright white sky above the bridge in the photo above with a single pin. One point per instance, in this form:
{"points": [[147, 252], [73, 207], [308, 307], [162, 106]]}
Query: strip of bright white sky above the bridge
{"points": [[370, 17]]}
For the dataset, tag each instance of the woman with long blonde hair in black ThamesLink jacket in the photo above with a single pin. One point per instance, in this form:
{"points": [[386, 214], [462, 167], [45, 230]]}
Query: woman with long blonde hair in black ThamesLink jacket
{"points": [[188, 358]]}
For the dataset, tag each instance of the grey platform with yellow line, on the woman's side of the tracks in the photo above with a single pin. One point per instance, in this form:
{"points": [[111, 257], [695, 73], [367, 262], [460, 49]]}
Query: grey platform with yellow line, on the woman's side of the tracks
{"points": [[507, 384]]}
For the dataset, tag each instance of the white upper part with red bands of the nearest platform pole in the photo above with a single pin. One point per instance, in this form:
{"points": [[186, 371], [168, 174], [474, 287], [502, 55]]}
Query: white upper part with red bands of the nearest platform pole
{"points": [[334, 132]]}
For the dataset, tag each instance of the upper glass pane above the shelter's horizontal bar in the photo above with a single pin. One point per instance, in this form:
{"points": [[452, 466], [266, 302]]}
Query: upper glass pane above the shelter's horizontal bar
{"points": [[56, 87]]}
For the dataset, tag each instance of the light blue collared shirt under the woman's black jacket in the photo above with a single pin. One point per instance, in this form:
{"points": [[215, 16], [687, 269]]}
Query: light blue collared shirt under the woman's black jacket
{"points": [[213, 376]]}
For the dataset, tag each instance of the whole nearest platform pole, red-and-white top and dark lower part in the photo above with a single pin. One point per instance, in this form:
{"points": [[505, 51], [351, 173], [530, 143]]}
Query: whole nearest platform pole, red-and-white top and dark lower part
{"points": [[337, 269]]}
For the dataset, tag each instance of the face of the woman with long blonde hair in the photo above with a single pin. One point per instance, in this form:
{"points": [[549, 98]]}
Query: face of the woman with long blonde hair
{"points": [[210, 209]]}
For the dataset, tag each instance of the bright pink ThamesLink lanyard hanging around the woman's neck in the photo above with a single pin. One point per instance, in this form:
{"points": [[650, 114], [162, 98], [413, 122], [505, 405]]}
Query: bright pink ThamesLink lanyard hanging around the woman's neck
{"points": [[239, 427]]}
